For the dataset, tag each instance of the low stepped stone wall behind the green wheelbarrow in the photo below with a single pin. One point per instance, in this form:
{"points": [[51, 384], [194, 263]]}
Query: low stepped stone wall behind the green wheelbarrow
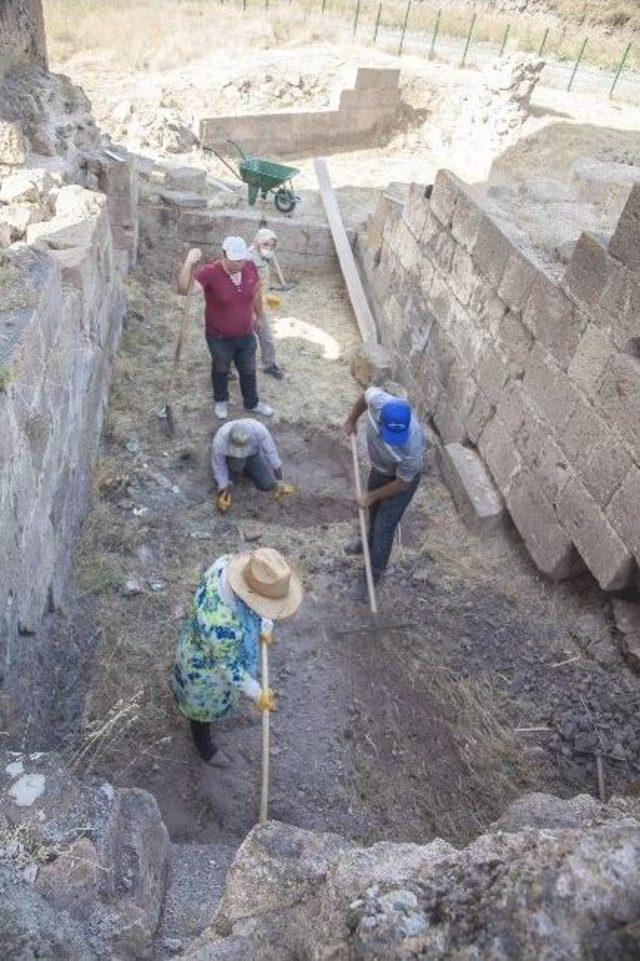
{"points": [[364, 116]]}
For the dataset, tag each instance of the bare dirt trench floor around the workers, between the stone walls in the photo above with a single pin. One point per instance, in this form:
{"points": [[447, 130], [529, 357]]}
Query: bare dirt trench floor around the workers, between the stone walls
{"points": [[404, 729]]}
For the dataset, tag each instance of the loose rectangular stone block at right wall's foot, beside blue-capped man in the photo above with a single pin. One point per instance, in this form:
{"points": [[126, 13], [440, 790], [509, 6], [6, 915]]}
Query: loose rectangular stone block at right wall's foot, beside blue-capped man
{"points": [[479, 503]]}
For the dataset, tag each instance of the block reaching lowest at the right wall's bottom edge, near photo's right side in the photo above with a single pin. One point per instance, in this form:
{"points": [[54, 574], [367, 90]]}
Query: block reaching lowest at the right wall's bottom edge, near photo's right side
{"points": [[604, 553]]}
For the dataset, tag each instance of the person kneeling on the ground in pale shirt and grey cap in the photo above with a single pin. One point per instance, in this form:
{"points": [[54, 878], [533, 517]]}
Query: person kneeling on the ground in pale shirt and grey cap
{"points": [[245, 447]]}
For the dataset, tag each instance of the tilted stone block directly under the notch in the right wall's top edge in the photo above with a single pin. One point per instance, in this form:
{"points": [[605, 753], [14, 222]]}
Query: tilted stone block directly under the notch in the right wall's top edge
{"points": [[553, 320]]}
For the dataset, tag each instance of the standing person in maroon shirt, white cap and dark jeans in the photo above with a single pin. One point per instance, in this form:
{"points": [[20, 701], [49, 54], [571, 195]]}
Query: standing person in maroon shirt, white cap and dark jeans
{"points": [[232, 305]]}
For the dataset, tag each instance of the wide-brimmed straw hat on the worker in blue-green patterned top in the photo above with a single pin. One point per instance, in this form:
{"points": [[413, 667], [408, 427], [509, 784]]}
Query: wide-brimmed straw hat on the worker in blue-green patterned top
{"points": [[265, 581]]}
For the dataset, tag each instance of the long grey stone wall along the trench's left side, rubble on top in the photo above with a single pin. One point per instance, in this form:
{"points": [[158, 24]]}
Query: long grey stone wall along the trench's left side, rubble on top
{"points": [[61, 312]]}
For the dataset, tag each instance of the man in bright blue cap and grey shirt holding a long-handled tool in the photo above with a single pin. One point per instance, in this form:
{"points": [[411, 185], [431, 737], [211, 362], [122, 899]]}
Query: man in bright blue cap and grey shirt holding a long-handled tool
{"points": [[395, 442]]}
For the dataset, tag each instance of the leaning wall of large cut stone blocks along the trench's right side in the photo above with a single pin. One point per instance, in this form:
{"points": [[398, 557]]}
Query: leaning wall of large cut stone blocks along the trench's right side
{"points": [[539, 372]]}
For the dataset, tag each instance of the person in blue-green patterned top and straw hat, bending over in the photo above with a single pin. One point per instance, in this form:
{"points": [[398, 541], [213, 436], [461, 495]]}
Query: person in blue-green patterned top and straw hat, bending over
{"points": [[237, 601]]}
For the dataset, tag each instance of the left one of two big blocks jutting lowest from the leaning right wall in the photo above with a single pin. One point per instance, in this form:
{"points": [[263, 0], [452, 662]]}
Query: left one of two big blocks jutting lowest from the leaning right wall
{"points": [[537, 522]]}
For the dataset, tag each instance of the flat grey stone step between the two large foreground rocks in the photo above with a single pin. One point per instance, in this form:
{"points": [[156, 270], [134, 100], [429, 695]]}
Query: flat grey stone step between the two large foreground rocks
{"points": [[195, 883]]}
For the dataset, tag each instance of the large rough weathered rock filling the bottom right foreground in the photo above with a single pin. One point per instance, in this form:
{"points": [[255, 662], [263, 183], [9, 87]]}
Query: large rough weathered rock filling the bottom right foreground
{"points": [[576, 867]]}
